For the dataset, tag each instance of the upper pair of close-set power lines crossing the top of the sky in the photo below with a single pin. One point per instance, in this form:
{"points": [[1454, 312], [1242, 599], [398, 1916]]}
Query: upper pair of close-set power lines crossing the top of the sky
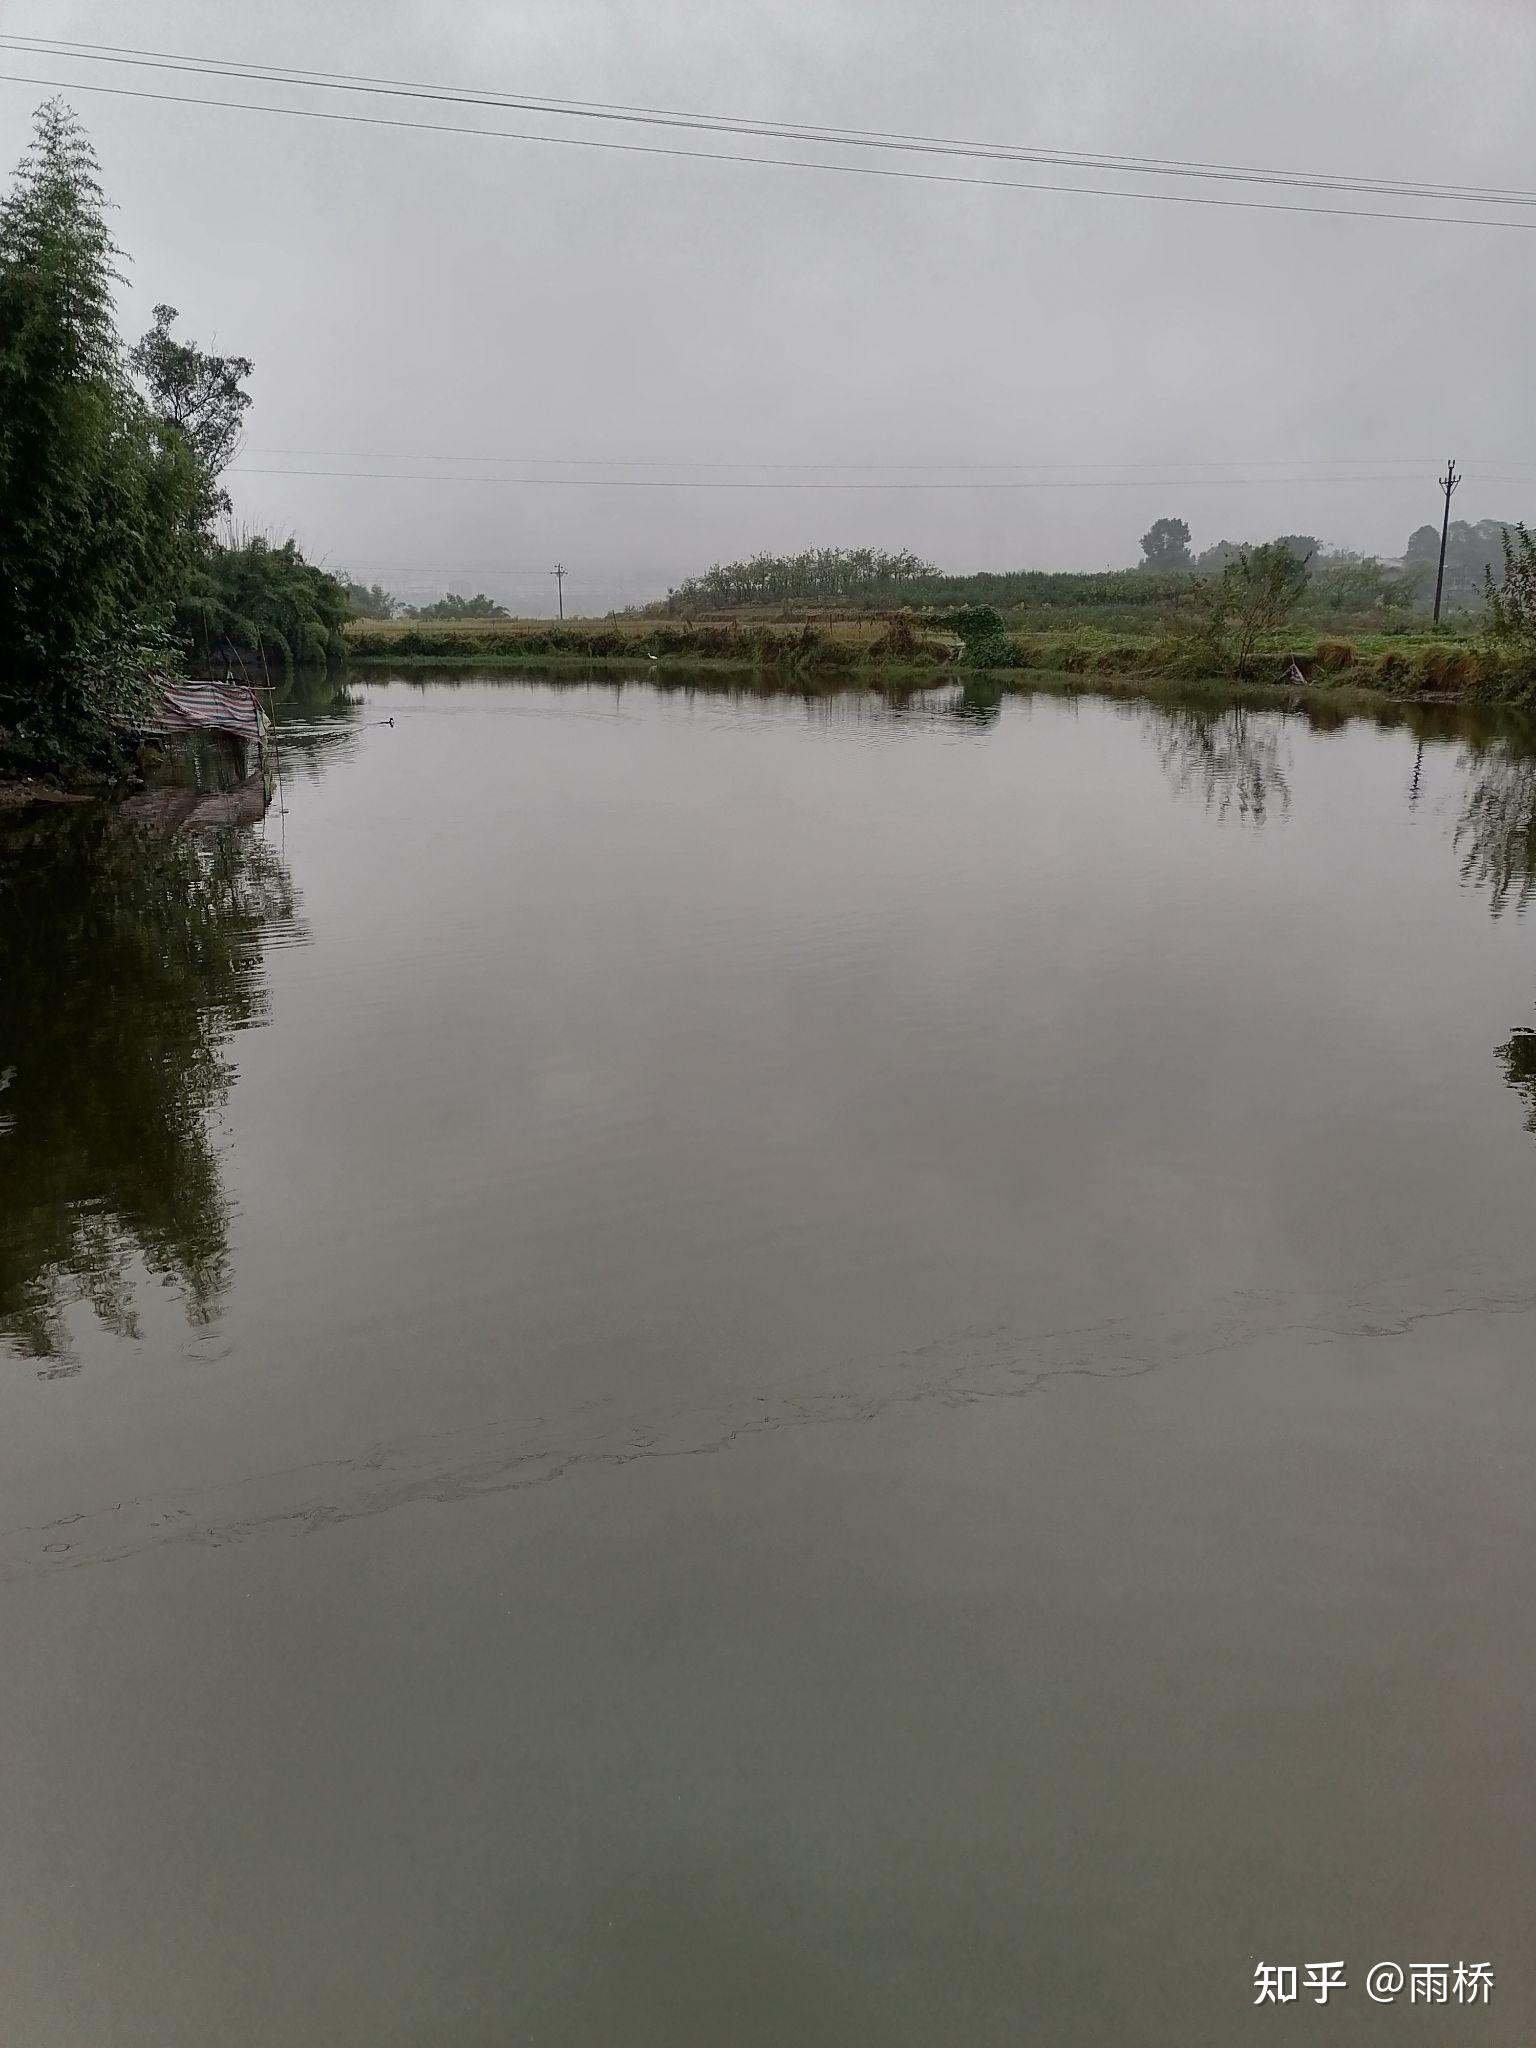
{"points": [[830, 134]]}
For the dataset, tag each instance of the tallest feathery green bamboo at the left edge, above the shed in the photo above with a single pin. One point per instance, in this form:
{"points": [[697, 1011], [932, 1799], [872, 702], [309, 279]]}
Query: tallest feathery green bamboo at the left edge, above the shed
{"points": [[97, 497]]}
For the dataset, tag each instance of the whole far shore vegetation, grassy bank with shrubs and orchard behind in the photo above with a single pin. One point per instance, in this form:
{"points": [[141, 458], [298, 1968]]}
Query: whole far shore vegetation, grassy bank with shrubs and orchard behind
{"points": [[1248, 611]]}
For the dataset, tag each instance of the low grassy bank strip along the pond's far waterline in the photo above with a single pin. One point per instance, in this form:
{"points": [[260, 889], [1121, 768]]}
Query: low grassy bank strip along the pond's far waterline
{"points": [[1394, 665]]}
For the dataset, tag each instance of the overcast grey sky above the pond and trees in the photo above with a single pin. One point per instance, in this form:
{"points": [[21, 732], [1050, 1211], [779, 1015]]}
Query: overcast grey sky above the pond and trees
{"points": [[419, 298]]}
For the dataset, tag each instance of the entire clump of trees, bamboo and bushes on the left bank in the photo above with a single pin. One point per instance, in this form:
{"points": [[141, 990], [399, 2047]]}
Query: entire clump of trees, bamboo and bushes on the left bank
{"points": [[110, 572]]}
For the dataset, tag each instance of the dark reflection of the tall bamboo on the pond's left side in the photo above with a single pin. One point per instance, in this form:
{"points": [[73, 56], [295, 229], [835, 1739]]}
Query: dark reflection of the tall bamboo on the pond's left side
{"points": [[130, 959]]}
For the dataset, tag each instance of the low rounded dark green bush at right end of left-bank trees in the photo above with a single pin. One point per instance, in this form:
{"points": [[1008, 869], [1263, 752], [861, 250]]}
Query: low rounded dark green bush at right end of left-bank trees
{"points": [[259, 597]]}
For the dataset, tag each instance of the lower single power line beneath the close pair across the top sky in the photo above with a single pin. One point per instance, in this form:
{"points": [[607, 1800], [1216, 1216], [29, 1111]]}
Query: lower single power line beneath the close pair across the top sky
{"points": [[779, 163]]}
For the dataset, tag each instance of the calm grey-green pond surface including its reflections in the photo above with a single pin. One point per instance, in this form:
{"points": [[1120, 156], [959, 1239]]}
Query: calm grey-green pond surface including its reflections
{"points": [[689, 1369]]}
